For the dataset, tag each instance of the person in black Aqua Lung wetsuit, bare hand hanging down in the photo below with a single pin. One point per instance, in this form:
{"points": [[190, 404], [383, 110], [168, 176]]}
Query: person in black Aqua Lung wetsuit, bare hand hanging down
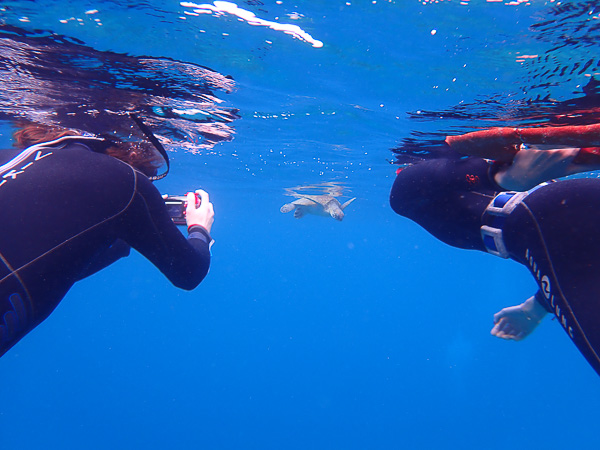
{"points": [[551, 229]]}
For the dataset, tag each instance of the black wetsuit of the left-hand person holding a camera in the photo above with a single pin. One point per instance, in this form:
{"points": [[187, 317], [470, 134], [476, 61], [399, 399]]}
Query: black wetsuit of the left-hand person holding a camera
{"points": [[68, 211]]}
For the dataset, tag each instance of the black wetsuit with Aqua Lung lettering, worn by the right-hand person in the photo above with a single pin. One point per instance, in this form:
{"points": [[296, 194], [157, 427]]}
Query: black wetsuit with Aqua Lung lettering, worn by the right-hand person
{"points": [[553, 231]]}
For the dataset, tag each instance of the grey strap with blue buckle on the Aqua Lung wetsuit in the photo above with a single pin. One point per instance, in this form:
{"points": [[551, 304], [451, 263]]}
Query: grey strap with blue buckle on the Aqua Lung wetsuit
{"points": [[499, 209]]}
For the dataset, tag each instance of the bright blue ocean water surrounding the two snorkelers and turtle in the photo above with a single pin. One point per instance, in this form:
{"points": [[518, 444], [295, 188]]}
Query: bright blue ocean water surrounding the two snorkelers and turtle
{"points": [[312, 333]]}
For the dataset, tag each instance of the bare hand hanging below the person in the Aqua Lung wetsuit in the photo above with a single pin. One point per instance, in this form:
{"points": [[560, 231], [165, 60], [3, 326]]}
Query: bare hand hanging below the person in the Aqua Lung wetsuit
{"points": [[517, 322]]}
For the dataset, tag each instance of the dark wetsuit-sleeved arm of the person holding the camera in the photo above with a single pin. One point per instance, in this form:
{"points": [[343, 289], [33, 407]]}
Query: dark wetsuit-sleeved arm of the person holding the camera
{"points": [[149, 229]]}
